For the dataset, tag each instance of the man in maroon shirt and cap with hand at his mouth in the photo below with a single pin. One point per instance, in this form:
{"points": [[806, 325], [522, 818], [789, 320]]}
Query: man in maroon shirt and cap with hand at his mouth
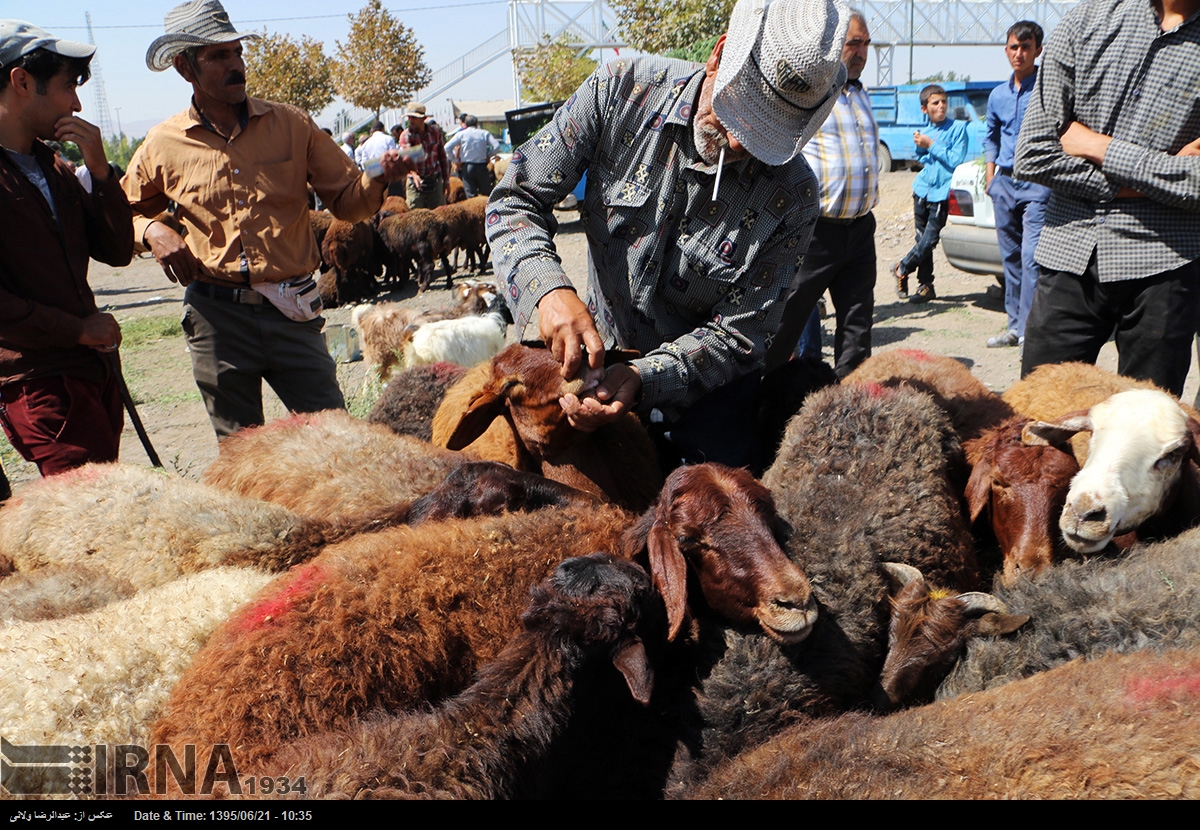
{"points": [[59, 401]]}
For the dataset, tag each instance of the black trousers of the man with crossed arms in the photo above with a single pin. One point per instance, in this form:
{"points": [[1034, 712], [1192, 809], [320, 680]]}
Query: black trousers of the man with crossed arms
{"points": [[1154, 321]]}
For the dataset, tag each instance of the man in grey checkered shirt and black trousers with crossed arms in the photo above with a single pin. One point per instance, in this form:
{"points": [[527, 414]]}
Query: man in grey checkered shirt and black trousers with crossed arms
{"points": [[1112, 129]]}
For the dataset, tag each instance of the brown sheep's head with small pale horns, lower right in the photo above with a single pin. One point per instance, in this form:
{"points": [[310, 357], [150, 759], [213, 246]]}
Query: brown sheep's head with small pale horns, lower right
{"points": [[928, 634]]}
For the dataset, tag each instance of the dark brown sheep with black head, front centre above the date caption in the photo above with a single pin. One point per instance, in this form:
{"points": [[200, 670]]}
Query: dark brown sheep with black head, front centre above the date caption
{"points": [[482, 743]]}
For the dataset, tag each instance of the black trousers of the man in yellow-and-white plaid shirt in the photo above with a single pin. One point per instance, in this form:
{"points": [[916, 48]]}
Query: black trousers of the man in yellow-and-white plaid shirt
{"points": [[841, 258]]}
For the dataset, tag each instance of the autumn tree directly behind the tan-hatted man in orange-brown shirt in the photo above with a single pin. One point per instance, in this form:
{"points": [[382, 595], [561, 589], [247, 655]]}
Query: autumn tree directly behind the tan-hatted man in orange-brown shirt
{"points": [[295, 73]]}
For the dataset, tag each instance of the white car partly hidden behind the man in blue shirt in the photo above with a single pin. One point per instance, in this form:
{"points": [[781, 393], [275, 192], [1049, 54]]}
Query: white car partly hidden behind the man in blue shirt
{"points": [[970, 236]]}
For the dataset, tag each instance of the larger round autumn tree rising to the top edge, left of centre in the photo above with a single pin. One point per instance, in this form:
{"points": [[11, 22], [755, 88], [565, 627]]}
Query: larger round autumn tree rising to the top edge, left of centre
{"points": [[382, 65]]}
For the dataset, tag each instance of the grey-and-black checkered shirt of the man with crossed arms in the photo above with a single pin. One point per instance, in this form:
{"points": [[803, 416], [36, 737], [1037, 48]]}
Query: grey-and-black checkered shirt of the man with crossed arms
{"points": [[1109, 67]]}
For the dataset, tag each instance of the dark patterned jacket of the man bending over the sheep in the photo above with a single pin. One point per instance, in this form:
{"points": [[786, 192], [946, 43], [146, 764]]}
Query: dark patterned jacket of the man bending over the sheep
{"points": [[697, 285]]}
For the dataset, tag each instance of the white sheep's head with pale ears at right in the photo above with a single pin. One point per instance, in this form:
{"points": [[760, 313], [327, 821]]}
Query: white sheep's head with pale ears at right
{"points": [[1141, 442]]}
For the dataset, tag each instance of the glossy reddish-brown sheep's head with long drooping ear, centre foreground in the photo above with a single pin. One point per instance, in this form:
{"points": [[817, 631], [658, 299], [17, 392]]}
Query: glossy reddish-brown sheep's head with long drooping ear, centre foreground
{"points": [[721, 522]]}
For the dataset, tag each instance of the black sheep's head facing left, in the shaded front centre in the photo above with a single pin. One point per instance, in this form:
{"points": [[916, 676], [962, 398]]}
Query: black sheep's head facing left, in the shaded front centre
{"points": [[601, 603]]}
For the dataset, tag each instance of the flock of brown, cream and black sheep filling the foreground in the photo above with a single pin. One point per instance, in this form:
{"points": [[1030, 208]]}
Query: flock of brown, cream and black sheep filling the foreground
{"points": [[461, 597]]}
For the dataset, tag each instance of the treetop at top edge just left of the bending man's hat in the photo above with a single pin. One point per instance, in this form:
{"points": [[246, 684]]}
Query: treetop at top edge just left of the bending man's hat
{"points": [[656, 27]]}
